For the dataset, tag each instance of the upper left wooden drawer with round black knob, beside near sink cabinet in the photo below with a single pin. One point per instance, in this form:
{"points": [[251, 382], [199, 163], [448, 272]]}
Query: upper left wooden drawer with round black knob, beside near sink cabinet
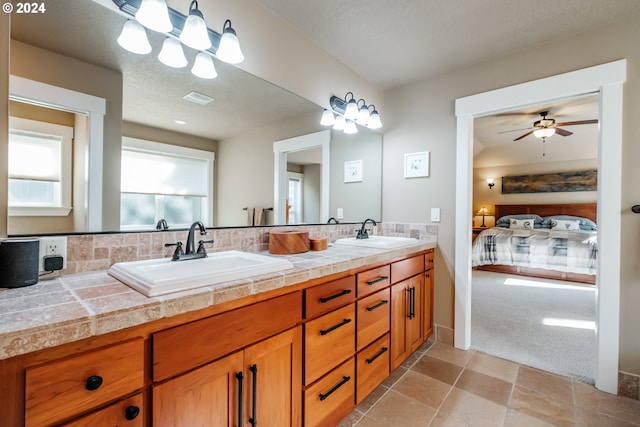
{"points": [[58, 390]]}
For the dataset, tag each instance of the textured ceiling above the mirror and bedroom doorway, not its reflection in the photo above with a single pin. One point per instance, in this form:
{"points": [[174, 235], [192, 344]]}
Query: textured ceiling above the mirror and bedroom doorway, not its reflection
{"points": [[394, 42]]}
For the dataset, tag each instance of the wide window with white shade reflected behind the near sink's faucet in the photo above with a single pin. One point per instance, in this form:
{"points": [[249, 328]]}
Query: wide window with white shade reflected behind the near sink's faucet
{"points": [[164, 181]]}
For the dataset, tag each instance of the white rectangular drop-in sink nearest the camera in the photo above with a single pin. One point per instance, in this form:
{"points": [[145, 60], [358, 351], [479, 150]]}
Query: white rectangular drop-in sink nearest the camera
{"points": [[162, 276]]}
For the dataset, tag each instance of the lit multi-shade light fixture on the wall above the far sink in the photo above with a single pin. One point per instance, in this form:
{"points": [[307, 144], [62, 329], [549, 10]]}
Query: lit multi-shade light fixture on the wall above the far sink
{"points": [[345, 113]]}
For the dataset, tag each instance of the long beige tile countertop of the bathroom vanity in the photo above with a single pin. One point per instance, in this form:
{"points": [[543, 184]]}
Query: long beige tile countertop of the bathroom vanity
{"points": [[74, 307]]}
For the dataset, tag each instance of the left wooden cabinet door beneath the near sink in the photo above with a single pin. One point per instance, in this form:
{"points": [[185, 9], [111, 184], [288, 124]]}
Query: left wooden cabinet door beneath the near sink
{"points": [[206, 397]]}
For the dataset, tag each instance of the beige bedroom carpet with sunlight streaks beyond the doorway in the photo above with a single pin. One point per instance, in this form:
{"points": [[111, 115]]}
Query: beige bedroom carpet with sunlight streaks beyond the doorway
{"points": [[545, 324]]}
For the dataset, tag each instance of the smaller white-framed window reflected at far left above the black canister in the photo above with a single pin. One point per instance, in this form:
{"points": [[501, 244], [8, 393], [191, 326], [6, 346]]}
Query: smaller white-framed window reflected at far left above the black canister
{"points": [[40, 166]]}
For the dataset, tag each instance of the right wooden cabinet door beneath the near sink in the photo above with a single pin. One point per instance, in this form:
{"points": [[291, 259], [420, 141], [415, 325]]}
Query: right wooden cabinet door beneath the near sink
{"points": [[273, 392]]}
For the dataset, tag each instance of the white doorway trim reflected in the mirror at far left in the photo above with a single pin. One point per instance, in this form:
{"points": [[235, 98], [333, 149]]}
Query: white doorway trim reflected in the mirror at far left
{"points": [[95, 108]]}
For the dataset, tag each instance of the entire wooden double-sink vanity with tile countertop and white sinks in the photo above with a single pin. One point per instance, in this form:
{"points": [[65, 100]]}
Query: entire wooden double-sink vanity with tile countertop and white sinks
{"points": [[233, 339]]}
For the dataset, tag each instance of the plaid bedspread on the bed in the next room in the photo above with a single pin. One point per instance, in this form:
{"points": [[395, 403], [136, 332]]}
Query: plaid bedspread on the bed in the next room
{"points": [[568, 251]]}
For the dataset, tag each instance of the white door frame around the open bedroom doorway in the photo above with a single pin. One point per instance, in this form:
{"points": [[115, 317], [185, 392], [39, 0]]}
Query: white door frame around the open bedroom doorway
{"points": [[607, 80]]}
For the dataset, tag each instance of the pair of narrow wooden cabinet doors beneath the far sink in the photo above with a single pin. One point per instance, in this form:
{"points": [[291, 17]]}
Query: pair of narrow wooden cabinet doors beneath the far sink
{"points": [[406, 318]]}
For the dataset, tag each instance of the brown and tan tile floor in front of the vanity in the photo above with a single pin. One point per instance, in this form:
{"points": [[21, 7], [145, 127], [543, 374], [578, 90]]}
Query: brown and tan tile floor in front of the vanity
{"points": [[440, 386]]}
